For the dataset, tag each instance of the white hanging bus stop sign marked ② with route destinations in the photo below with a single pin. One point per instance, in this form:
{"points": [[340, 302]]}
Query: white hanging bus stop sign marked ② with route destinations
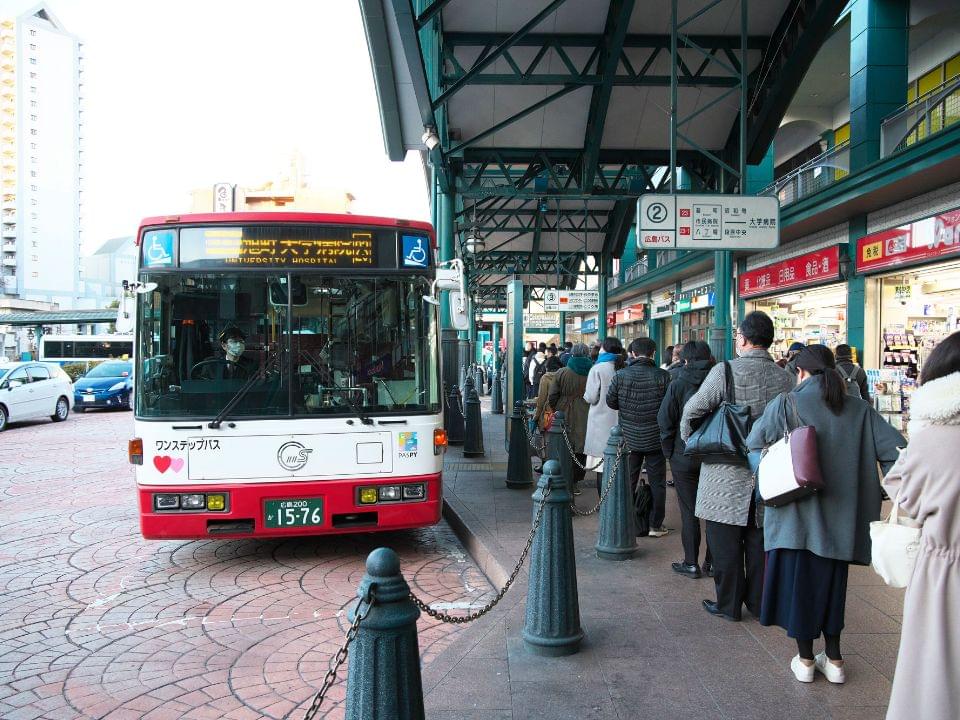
{"points": [[708, 222]]}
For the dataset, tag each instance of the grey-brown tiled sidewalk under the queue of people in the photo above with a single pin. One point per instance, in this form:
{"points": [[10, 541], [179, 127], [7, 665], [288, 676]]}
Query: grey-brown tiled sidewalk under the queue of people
{"points": [[650, 649]]}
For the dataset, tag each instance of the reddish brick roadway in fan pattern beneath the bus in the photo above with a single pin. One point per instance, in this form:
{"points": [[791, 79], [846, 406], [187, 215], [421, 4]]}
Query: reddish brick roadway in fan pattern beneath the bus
{"points": [[96, 622]]}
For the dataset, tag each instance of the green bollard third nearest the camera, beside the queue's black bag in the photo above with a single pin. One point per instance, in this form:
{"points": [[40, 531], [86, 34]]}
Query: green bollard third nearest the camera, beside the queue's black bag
{"points": [[617, 534]]}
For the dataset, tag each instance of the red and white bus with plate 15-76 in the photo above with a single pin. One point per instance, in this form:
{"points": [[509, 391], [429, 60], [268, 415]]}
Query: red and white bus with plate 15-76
{"points": [[287, 375]]}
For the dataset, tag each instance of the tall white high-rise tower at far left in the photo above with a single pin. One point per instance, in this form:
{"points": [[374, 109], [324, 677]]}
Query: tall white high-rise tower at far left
{"points": [[41, 159]]}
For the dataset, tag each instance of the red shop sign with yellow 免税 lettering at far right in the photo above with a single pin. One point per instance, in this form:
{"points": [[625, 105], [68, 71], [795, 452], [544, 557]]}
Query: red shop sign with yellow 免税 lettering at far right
{"points": [[925, 239]]}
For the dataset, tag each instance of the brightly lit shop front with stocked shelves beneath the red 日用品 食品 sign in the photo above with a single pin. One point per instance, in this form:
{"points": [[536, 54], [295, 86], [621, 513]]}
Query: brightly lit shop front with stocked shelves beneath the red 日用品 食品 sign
{"points": [[806, 316]]}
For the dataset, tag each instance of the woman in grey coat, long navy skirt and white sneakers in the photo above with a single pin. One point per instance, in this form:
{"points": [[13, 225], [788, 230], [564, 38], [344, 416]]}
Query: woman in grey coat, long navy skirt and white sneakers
{"points": [[811, 542]]}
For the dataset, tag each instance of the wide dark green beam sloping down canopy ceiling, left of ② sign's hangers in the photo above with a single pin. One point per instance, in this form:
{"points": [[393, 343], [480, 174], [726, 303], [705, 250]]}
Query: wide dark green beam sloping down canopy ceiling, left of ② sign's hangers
{"points": [[614, 34]]}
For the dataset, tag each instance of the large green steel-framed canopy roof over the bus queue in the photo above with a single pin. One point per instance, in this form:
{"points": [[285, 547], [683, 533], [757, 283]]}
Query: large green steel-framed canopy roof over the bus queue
{"points": [[554, 116]]}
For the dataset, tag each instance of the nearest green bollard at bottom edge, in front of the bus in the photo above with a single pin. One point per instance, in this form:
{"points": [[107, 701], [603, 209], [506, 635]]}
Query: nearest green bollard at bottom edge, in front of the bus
{"points": [[383, 681]]}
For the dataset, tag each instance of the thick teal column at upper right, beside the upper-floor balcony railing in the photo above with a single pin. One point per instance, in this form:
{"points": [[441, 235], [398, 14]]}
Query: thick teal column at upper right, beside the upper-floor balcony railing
{"points": [[879, 39]]}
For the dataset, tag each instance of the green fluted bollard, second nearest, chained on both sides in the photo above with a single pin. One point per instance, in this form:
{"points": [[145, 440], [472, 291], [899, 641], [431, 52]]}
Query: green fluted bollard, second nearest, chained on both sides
{"points": [[552, 623]]}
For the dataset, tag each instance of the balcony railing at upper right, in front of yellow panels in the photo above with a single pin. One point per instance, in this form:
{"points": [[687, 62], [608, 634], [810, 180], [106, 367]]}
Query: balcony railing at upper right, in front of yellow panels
{"points": [[918, 120]]}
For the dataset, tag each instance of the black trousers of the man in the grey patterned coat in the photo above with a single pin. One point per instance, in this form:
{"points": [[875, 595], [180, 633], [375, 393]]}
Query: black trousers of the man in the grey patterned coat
{"points": [[737, 564]]}
